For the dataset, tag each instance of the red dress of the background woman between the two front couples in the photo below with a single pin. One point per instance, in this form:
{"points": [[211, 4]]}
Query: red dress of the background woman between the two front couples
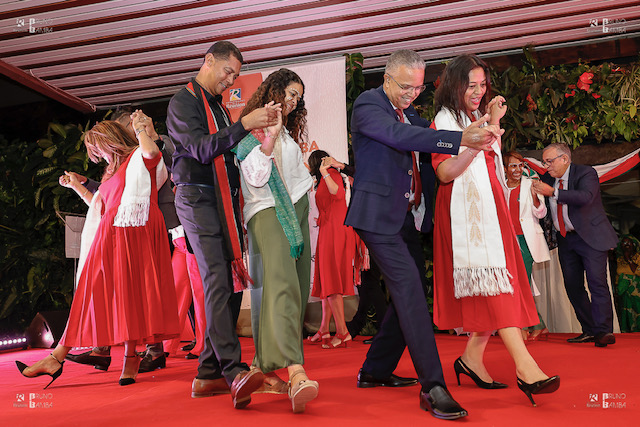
{"points": [[336, 246]]}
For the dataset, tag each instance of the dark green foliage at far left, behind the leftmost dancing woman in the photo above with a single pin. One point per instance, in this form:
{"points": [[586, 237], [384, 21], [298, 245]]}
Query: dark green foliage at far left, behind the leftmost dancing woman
{"points": [[34, 273]]}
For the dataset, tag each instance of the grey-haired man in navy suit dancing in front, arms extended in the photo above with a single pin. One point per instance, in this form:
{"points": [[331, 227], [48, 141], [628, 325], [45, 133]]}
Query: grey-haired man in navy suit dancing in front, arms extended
{"points": [[385, 130]]}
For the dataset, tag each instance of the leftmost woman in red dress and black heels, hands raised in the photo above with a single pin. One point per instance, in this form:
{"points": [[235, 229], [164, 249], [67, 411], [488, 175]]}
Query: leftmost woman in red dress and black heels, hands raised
{"points": [[125, 292]]}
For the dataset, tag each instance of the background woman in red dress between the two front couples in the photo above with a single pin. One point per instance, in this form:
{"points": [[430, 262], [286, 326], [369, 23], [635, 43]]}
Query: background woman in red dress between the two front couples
{"points": [[335, 250]]}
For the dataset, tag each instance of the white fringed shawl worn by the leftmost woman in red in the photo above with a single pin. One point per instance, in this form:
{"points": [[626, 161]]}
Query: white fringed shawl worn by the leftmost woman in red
{"points": [[134, 203]]}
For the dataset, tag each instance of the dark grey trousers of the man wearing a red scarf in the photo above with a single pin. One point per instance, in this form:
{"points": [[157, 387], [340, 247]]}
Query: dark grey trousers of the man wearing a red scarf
{"points": [[221, 356]]}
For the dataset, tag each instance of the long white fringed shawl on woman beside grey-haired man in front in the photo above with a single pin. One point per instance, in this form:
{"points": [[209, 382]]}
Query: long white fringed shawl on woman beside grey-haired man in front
{"points": [[479, 264]]}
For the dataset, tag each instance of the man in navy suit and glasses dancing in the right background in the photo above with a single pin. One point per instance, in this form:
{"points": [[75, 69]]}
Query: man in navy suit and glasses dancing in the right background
{"points": [[584, 239]]}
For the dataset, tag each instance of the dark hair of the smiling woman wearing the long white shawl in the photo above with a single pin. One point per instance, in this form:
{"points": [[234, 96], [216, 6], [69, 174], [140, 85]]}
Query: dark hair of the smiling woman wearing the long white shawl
{"points": [[454, 82]]}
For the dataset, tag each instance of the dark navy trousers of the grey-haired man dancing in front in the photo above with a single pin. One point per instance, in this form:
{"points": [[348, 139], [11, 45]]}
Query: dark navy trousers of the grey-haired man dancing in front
{"points": [[407, 322]]}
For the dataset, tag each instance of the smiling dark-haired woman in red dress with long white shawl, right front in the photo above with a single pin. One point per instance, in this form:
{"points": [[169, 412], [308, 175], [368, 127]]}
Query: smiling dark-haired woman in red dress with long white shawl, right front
{"points": [[480, 282]]}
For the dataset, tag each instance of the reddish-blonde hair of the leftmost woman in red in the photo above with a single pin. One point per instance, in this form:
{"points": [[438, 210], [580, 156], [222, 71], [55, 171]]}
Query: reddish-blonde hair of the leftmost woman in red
{"points": [[110, 139]]}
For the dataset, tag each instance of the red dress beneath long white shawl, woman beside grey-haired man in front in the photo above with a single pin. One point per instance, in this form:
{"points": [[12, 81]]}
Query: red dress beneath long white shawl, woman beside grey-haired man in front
{"points": [[478, 313]]}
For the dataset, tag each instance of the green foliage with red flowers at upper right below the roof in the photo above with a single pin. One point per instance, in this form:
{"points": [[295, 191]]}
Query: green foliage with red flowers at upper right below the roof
{"points": [[568, 103]]}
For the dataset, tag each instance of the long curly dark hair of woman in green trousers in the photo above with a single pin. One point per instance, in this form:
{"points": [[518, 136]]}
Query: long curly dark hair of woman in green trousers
{"points": [[273, 89]]}
